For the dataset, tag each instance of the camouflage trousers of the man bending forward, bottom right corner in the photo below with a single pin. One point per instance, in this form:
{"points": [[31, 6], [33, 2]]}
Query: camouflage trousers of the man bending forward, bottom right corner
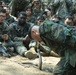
{"points": [[64, 68]]}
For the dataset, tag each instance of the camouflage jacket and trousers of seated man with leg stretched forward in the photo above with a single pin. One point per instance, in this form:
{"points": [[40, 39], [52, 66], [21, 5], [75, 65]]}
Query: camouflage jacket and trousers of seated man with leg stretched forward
{"points": [[17, 33]]}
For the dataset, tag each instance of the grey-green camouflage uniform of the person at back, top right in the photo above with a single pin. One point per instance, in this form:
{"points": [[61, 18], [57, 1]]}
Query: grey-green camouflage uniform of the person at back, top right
{"points": [[61, 7]]}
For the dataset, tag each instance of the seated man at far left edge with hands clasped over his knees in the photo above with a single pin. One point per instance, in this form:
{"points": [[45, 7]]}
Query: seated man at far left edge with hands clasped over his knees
{"points": [[4, 38]]}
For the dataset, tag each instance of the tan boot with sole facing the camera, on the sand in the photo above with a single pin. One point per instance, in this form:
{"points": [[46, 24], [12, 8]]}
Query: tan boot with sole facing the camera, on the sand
{"points": [[31, 54]]}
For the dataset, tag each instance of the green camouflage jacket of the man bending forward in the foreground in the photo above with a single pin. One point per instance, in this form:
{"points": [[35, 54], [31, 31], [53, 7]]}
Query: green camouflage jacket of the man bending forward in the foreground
{"points": [[60, 38]]}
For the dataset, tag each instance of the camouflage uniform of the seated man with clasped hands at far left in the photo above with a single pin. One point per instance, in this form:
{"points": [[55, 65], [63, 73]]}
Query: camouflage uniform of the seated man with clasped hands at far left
{"points": [[6, 44]]}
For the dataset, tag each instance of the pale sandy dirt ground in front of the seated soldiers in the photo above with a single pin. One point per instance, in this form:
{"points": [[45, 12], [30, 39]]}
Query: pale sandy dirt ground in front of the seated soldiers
{"points": [[18, 65]]}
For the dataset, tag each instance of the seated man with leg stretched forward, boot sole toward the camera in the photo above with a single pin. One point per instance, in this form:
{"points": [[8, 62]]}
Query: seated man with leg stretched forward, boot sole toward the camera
{"points": [[18, 31]]}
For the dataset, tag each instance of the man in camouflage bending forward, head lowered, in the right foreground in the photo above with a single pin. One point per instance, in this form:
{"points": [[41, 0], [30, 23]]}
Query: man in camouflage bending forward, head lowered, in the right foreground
{"points": [[61, 39]]}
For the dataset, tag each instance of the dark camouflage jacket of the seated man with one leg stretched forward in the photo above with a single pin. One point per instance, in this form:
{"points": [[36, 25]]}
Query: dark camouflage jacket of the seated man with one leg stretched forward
{"points": [[18, 31]]}
